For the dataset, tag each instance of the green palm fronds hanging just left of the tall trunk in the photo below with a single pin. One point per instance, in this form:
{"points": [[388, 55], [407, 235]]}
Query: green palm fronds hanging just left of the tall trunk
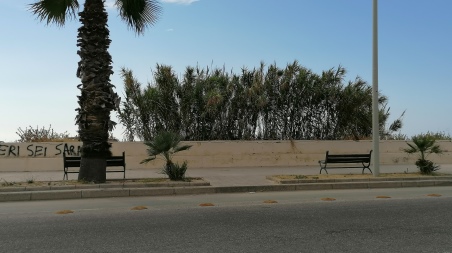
{"points": [[55, 11]]}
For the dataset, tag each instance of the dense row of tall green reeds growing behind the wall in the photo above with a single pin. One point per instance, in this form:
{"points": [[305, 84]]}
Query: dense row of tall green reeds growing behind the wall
{"points": [[266, 103]]}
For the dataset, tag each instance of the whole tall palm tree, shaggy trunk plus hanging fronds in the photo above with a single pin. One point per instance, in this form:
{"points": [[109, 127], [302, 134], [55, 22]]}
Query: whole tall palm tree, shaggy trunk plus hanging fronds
{"points": [[97, 97]]}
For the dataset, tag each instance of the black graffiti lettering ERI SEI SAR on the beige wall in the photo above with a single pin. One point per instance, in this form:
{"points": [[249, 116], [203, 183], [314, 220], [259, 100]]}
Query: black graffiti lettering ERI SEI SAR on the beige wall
{"points": [[39, 149]]}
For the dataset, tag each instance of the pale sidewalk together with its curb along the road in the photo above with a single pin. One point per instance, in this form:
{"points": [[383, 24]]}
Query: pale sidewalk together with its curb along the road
{"points": [[222, 180]]}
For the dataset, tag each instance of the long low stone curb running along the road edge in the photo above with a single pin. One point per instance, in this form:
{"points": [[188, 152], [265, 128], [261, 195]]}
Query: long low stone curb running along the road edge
{"points": [[21, 194]]}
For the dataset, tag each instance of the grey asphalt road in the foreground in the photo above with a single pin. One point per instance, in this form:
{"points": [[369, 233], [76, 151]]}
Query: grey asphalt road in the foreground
{"points": [[356, 221]]}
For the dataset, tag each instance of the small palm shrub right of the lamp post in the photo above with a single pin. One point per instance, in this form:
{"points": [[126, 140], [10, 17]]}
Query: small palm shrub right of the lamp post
{"points": [[424, 144]]}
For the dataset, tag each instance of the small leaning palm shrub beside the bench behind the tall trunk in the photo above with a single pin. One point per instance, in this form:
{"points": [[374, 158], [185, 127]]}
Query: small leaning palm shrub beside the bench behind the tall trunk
{"points": [[166, 144]]}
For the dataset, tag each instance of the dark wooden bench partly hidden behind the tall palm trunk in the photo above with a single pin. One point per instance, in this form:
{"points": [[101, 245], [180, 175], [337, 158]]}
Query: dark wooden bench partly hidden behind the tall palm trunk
{"points": [[112, 161]]}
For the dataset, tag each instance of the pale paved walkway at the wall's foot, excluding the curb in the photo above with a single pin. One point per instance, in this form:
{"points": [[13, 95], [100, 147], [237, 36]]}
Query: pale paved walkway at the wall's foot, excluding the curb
{"points": [[218, 177]]}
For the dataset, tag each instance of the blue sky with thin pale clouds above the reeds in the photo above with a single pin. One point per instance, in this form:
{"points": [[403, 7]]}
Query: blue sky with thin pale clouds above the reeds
{"points": [[38, 62]]}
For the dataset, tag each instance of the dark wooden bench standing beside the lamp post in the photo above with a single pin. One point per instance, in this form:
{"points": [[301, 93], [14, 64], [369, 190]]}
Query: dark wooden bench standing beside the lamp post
{"points": [[346, 160]]}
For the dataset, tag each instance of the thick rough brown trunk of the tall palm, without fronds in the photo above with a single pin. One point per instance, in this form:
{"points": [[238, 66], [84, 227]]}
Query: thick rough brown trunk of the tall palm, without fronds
{"points": [[97, 98]]}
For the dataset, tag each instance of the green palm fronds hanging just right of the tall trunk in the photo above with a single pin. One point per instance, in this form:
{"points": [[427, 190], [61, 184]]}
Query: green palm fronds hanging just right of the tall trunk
{"points": [[139, 14]]}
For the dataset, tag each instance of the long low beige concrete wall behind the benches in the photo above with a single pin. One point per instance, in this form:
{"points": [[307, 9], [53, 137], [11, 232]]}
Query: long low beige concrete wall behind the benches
{"points": [[214, 154]]}
